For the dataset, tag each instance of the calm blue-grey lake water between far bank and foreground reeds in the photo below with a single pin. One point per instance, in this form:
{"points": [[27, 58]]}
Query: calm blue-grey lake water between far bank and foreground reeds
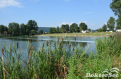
{"points": [[37, 42]]}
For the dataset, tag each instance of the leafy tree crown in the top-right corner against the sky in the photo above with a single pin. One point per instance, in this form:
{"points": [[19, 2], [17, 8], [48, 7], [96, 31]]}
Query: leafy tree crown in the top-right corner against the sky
{"points": [[116, 7]]}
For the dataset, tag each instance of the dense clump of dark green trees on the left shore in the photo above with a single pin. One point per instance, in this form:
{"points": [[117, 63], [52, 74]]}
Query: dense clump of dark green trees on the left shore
{"points": [[14, 29]]}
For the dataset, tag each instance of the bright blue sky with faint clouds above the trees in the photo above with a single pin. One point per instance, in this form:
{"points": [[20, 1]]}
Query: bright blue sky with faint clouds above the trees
{"points": [[53, 13]]}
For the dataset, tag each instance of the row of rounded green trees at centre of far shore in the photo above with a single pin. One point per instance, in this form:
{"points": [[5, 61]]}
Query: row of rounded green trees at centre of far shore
{"points": [[65, 28]]}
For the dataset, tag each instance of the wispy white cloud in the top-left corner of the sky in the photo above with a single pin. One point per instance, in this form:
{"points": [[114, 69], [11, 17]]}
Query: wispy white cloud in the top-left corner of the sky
{"points": [[5, 3]]}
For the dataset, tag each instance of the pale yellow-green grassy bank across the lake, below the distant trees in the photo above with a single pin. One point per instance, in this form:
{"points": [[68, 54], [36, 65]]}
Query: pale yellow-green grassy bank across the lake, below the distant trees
{"points": [[79, 34]]}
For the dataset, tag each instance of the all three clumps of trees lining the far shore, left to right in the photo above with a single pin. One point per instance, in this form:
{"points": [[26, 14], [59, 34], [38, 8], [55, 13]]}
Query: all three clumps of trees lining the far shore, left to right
{"points": [[14, 29]]}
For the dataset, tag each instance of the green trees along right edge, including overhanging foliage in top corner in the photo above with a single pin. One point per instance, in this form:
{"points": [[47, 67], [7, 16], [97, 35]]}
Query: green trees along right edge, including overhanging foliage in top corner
{"points": [[115, 6]]}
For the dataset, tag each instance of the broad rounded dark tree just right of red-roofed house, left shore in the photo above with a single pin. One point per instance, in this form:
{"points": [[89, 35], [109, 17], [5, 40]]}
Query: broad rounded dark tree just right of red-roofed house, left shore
{"points": [[13, 29]]}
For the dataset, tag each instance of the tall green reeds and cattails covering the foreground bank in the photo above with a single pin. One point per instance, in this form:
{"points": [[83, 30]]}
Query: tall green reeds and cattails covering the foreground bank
{"points": [[62, 62]]}
